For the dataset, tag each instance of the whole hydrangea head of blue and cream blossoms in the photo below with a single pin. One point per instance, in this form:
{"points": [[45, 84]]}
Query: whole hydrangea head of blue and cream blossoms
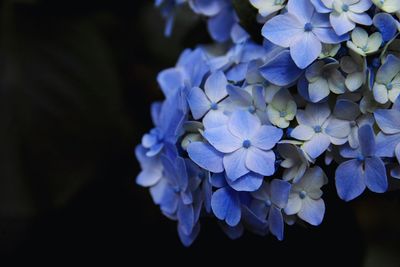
{"points": [[239, 134]]}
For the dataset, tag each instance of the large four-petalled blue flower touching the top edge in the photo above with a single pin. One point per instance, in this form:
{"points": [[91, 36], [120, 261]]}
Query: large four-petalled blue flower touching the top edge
{"points": [[302, 30]]}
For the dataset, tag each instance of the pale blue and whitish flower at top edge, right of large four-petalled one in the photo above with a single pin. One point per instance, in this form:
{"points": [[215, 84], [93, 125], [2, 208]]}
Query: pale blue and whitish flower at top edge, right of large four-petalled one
{"points": [[345, 14]]}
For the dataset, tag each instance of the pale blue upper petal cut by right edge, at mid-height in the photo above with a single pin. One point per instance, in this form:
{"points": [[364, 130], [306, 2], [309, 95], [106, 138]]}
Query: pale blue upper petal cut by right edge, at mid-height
{"points": [[388, 120]]}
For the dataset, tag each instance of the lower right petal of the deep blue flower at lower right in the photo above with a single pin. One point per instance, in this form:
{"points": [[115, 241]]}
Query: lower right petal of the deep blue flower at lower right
{"points": [[375, 175]]}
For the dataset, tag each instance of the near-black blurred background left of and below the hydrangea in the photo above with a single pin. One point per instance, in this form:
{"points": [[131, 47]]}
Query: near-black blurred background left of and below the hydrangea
{"points": [[77, 80]]}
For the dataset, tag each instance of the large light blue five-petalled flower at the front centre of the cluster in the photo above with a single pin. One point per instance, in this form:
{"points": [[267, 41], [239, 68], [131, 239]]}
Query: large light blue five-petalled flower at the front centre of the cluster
{"points": [[246, 145]]}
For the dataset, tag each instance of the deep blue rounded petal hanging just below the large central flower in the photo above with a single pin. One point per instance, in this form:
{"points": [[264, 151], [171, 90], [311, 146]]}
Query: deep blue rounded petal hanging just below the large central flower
{"points": [[225, 204]]}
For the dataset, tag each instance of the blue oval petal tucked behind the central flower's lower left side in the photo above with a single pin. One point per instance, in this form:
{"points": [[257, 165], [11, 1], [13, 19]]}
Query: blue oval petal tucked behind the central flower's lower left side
{"points": [[206, 156]]}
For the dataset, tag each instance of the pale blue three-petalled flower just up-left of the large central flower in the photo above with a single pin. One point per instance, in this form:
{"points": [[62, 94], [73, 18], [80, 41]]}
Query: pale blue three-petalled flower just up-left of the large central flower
{"points": [[208, 103]]}
